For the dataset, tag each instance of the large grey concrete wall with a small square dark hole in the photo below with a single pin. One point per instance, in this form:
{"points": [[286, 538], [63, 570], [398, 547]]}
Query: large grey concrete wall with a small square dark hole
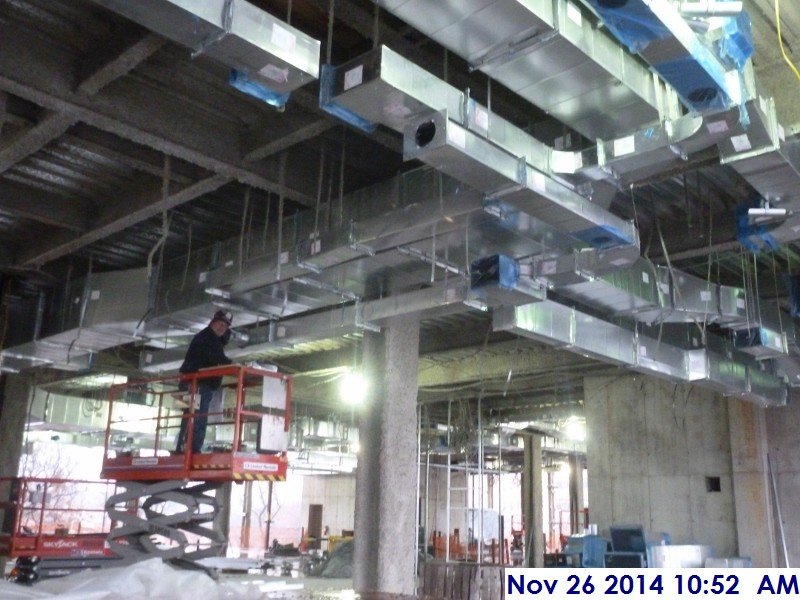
{"points": [[651, 445]]}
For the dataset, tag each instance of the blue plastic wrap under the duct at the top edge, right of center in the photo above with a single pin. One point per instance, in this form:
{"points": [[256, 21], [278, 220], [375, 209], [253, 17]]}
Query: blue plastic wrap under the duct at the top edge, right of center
{"points": [[632, 22]]}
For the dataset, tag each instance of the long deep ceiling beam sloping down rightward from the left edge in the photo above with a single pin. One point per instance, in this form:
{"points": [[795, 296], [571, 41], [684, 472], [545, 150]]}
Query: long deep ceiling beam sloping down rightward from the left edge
{"points": [[133, 112]]}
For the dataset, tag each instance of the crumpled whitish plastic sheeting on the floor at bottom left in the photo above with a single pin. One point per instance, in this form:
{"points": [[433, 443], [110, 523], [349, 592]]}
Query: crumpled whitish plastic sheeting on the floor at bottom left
{"points": [[144, 580]]}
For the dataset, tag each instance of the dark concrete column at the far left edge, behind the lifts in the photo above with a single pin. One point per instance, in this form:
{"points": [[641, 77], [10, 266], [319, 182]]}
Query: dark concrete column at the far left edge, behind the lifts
{"points": [[14, 398]]}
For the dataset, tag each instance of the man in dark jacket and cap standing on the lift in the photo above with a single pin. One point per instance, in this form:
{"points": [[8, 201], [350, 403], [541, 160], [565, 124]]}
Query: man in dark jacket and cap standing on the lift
{"points": [[207, 349]]}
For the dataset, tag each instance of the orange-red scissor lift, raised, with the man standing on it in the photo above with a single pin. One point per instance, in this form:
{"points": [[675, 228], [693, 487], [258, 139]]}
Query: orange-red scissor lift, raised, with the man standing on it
{"points": [[167, 508]]}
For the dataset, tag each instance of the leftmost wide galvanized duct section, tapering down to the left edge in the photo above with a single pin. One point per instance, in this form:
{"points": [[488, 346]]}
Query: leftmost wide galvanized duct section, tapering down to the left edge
{"points": [[106, 310]]}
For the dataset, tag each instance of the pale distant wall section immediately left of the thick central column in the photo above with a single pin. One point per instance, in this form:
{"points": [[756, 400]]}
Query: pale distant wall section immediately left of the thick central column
{"points": [[337, 494]]}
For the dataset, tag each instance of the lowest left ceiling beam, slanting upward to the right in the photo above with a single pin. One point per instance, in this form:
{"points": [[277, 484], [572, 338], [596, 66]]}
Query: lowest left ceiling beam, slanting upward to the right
{"points": [[120, 216]]}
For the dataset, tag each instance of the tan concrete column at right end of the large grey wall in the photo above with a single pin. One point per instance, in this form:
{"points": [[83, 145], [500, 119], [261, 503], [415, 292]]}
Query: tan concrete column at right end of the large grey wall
{"points": [[751, 484]]}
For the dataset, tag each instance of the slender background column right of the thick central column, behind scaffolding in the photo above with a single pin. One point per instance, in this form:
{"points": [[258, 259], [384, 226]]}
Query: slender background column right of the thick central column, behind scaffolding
{"points": [[532, 501]]}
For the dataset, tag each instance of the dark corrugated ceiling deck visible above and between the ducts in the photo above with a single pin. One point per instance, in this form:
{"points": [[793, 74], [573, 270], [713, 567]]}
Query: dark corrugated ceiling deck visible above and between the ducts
{"points": [[105, 128]]}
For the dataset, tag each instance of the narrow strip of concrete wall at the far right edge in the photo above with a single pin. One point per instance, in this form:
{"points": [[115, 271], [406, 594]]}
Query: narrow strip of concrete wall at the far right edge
{"points": [[784, 451]]}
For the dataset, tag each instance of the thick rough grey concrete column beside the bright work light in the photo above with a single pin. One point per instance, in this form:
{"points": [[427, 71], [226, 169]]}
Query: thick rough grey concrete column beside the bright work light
{"points": [[386, 481]]}
